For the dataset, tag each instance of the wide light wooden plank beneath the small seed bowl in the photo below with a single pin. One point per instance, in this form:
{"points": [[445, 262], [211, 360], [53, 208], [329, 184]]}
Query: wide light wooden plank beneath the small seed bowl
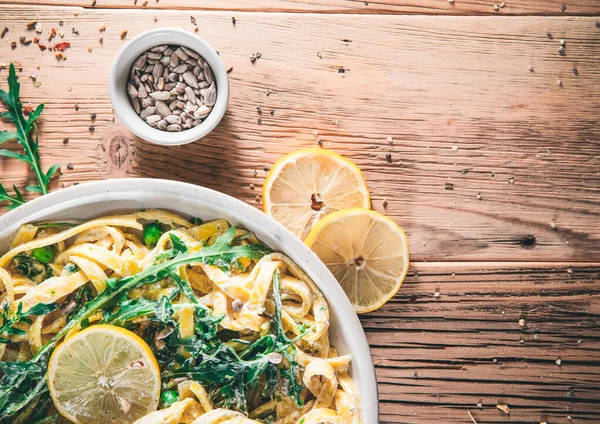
{"points": [[454, 93]]}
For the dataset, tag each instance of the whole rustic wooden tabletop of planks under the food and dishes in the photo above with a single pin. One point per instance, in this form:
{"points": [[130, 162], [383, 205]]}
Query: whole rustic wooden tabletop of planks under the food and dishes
{"points": [[494, 172]]}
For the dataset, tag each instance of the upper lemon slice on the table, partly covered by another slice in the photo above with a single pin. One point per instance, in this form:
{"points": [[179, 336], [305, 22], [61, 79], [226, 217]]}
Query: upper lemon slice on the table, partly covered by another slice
{"points": [[309, 184]]}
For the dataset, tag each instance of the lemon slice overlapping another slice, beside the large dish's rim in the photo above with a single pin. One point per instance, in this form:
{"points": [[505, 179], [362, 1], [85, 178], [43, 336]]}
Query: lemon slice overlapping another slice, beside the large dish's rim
{"points": [[366, 252]]}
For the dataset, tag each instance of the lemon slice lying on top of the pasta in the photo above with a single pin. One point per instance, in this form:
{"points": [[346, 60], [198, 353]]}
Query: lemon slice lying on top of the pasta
{"points": [[104, 374]]}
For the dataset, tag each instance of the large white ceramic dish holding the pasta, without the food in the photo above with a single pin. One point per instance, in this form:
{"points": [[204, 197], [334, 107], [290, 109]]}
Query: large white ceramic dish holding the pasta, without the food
{"points": [[90, 200]]}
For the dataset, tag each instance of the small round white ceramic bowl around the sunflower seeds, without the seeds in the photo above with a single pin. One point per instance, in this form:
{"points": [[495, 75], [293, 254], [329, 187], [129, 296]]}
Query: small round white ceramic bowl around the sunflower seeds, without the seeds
{"points": [[119, 74]]}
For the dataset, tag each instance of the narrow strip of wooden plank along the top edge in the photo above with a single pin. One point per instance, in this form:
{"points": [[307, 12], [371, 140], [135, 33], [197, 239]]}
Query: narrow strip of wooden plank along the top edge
{"points": [[437, 7]]}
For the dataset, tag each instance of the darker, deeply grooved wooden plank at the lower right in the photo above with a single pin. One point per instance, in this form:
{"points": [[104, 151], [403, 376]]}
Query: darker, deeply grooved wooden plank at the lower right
{"points": [[440, 355]]}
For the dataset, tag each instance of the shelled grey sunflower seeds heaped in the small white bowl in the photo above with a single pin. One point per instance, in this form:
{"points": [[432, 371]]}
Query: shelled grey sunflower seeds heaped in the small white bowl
{"points": [[172, 88]]}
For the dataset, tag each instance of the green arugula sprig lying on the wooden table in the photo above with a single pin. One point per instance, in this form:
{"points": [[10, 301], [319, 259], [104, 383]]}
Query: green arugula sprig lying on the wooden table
{"points": [[24, 128]]}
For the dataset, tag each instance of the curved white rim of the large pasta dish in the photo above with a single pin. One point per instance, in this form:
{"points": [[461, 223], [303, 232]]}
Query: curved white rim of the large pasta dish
{"points": [[114, 190]]}
